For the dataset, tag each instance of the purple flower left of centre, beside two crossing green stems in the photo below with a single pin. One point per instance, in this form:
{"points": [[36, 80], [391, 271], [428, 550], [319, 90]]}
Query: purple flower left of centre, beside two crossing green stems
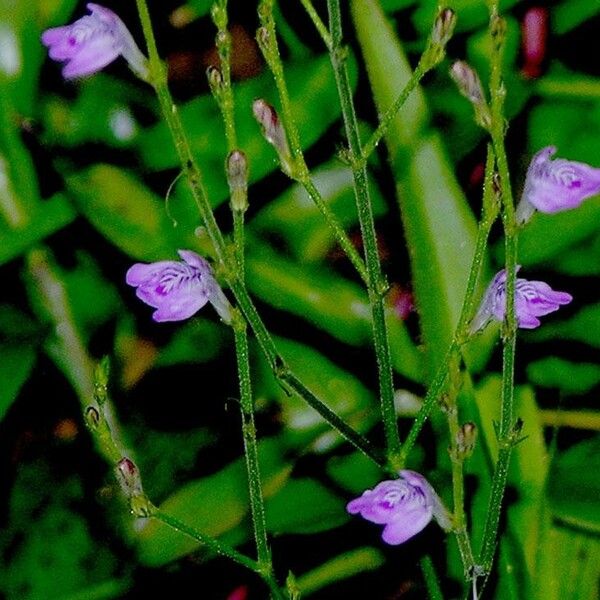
{"points": [[178, 289]]}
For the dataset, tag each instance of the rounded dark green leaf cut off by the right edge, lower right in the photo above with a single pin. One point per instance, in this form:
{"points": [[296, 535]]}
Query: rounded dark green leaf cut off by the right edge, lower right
{"points": [[574, 485]]}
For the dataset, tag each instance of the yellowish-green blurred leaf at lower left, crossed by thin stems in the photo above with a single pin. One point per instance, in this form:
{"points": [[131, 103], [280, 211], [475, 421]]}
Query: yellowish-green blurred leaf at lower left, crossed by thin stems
{"points": [[215, 505]]}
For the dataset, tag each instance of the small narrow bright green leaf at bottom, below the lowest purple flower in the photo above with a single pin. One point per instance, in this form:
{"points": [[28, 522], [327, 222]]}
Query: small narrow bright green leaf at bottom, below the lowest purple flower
{"points": [[348, 564]]}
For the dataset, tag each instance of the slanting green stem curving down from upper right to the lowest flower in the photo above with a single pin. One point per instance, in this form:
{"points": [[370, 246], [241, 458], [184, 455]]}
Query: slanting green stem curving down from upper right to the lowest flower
{"points": [[461, 334]]}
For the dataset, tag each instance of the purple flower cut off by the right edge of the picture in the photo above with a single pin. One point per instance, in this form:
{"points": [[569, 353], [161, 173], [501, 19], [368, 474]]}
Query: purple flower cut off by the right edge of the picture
{"points": [[555, 185]]}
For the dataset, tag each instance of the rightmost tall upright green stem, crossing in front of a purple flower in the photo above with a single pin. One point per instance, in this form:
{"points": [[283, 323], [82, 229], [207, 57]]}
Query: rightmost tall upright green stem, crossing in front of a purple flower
{"points": [[506, 430]]}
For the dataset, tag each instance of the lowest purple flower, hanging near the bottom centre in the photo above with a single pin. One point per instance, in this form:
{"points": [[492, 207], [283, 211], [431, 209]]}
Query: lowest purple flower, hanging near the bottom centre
{"points": [[405, 506]]}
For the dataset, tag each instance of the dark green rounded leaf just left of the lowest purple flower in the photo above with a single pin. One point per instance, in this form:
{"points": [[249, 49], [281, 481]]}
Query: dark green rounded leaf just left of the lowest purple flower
{"points": [[304, 506]]}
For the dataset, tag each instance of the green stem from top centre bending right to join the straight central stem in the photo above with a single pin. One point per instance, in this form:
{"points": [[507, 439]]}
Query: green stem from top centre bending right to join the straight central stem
{"points": [[300, 171]]}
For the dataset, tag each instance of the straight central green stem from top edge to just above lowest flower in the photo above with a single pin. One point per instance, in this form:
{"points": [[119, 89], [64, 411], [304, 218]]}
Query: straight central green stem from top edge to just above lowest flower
{"points": [[377, 285]]}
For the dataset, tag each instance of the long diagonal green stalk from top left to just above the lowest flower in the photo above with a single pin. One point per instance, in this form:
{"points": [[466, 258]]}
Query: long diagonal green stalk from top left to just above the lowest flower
{"points": [[237, 286]]}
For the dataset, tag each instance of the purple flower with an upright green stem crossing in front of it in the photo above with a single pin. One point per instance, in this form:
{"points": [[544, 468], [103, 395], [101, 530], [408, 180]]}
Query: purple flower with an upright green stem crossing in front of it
{"points": [[532, 299]]}
